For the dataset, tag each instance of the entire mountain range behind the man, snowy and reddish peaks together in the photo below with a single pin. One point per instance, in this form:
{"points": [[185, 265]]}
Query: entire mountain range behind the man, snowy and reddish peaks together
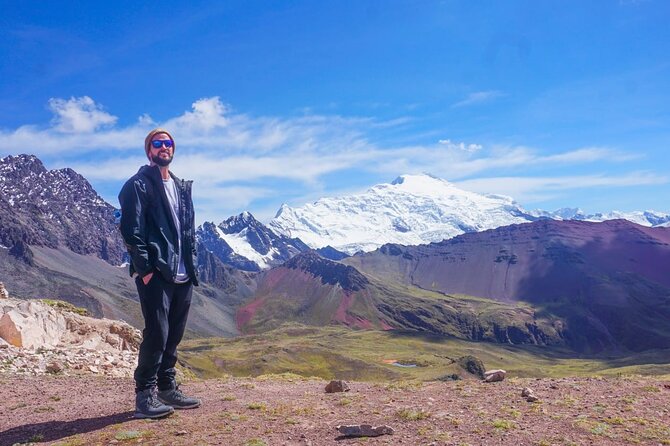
{"points": [[498, 273]]}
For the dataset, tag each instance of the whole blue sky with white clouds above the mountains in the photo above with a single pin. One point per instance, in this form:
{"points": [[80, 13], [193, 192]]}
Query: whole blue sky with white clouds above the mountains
{"points": [[557, 104]]}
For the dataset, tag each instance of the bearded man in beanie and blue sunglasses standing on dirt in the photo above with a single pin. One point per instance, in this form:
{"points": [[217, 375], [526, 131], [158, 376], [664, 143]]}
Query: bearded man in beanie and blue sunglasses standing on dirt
{"points": [[157, 225]]}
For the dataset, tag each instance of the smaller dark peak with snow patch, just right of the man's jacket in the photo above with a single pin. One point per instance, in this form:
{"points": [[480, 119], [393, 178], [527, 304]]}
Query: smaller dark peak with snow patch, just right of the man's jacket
{"points": [[245, 243]]}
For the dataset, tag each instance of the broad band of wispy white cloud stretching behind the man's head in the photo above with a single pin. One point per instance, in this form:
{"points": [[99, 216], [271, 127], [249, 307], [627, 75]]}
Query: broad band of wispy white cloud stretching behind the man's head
{"points": [[233, 156]]}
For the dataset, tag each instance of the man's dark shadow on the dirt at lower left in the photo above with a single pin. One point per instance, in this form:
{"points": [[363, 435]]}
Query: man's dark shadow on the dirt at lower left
{"points": [[55, 430]]}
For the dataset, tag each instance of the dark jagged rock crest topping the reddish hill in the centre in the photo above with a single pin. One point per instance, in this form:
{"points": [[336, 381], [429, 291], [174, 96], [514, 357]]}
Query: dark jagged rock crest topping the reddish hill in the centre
{"points": [[330, 272]]}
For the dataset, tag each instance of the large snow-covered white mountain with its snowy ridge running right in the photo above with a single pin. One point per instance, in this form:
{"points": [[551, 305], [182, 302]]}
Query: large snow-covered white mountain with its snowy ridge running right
{"points": [[417, 209]]}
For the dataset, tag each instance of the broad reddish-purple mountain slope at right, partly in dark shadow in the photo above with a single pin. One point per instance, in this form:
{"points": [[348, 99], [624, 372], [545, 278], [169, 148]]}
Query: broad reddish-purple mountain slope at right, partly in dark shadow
{"points": [[610, 281]]}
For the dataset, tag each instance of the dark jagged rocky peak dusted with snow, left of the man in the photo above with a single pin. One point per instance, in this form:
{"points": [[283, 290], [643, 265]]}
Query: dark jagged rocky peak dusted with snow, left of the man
{"points": [[54, 208]]}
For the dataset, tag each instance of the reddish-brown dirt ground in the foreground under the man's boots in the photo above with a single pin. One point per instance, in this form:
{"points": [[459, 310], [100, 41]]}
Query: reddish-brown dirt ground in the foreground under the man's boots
{"points": [[284, 410]]}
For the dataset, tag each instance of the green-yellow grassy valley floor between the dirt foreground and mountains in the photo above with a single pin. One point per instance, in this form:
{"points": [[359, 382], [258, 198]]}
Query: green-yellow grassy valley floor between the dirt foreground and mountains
{"points": [[341, 353]]}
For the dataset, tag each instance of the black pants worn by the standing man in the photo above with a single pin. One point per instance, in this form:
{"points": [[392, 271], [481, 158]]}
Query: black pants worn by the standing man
{"points": [[165, 308]]}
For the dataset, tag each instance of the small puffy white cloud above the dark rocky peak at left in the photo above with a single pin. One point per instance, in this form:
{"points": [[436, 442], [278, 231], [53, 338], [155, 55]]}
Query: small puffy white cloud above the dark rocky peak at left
{"points": [[79, 115]]}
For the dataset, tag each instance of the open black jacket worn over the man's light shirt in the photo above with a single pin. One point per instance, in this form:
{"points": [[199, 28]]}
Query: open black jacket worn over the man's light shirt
{"points": [[148, 229]]}
